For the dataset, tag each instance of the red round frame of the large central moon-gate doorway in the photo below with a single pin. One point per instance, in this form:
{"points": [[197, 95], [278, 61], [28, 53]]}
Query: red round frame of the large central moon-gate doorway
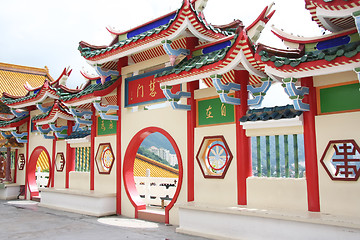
{"points": [[128, 170]]}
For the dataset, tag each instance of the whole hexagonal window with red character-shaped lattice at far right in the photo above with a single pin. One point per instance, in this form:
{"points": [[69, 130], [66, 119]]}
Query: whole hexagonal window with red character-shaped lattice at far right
{"points": [[341, 160]]}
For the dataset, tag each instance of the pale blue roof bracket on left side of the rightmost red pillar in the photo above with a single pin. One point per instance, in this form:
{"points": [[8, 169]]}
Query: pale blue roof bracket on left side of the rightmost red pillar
{"points": [[296, 94]]}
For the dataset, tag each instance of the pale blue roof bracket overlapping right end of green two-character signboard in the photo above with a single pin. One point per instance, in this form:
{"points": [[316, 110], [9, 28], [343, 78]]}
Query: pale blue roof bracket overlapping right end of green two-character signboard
{"points": [[224, 89]]}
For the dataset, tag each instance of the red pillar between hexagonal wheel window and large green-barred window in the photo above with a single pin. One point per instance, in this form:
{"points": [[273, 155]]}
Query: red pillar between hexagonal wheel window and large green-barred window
{"points": [[243, 155]]}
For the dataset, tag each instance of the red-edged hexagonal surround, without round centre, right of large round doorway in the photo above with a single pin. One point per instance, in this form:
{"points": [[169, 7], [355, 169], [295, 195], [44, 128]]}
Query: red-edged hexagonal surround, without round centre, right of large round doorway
{"points": [[203, 159]]}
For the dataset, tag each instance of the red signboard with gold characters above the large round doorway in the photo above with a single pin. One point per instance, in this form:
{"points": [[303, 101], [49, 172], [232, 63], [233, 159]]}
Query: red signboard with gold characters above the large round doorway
{"points": [[143, 89]]}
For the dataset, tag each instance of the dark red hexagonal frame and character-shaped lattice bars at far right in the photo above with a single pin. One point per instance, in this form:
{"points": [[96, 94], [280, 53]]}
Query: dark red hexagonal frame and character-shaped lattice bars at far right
{"points": [[327, 157]]}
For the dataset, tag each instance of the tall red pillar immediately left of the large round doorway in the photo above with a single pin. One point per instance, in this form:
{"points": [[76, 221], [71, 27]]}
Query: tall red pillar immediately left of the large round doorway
{"points": [[121, 63]]}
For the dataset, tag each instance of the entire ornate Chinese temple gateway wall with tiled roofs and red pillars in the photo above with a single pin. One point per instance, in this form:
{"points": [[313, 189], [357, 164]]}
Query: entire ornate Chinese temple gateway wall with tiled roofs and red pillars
{"points": [[291, 171]]}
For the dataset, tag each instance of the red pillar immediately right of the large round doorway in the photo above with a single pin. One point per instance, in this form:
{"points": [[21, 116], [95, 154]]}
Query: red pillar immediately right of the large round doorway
{"points": [[191, 43]]}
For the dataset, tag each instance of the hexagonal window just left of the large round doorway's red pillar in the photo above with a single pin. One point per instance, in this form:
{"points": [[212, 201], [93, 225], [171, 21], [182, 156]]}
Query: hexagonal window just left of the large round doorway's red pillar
{"points": [[104, 158]]}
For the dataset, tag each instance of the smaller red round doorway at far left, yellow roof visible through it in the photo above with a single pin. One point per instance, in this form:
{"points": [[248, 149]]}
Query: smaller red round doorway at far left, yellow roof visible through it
{"points": [[39, 161]]}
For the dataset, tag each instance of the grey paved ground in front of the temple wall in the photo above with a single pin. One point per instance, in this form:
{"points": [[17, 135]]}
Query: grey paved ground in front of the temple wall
{"points": [[25, 220]]}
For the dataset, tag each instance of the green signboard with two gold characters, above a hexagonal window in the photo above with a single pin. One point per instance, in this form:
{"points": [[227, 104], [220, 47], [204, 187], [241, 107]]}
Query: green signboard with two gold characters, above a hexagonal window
{"points": [[211, 111]]}
